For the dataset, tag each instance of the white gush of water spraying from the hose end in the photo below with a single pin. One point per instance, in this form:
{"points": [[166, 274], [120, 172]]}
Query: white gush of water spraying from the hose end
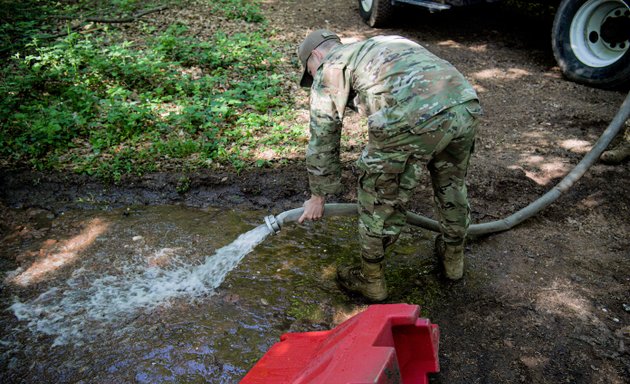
{"points": [[77, 312]]}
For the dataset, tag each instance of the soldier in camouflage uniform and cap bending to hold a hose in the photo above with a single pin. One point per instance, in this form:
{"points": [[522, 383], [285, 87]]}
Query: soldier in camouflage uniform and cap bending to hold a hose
{"points": [[421, 111]]}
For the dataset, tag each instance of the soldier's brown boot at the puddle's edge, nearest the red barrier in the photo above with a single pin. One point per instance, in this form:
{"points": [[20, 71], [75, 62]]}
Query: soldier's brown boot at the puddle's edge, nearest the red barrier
{"points": [[367, 279]]}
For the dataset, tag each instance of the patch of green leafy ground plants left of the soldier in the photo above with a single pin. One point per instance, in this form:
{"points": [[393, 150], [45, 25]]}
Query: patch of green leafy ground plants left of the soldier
{"points": [[107, 102]]}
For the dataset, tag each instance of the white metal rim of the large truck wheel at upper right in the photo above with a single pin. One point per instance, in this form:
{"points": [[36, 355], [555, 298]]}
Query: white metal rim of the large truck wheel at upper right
{"points": [[585, 33]]}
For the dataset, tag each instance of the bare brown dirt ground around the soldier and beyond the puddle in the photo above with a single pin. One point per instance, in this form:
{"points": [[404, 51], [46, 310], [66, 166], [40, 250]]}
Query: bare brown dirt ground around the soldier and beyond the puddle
{"points": [[553, 304]]}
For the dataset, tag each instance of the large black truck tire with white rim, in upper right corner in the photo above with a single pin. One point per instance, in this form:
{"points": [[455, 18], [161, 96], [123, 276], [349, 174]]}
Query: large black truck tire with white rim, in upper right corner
{"points": [[591, 42]]}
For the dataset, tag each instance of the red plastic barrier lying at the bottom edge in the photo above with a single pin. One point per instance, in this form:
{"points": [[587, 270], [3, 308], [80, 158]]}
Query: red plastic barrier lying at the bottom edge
{"points": [[387, 343]]}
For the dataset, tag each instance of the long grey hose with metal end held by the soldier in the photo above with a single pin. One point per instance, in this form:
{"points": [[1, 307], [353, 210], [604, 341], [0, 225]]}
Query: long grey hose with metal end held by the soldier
{"points": [[275, 223]]}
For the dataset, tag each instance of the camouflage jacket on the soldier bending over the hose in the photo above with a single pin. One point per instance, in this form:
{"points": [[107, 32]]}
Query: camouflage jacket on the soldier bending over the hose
{"points": [[396, 82]]}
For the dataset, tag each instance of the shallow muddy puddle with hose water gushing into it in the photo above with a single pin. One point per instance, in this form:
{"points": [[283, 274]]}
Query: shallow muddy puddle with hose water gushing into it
{"points": [[168, 294]]}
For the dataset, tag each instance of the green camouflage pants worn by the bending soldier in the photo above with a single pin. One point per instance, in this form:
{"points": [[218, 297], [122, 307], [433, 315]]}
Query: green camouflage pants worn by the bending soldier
{"points": [[392, 166]]}
